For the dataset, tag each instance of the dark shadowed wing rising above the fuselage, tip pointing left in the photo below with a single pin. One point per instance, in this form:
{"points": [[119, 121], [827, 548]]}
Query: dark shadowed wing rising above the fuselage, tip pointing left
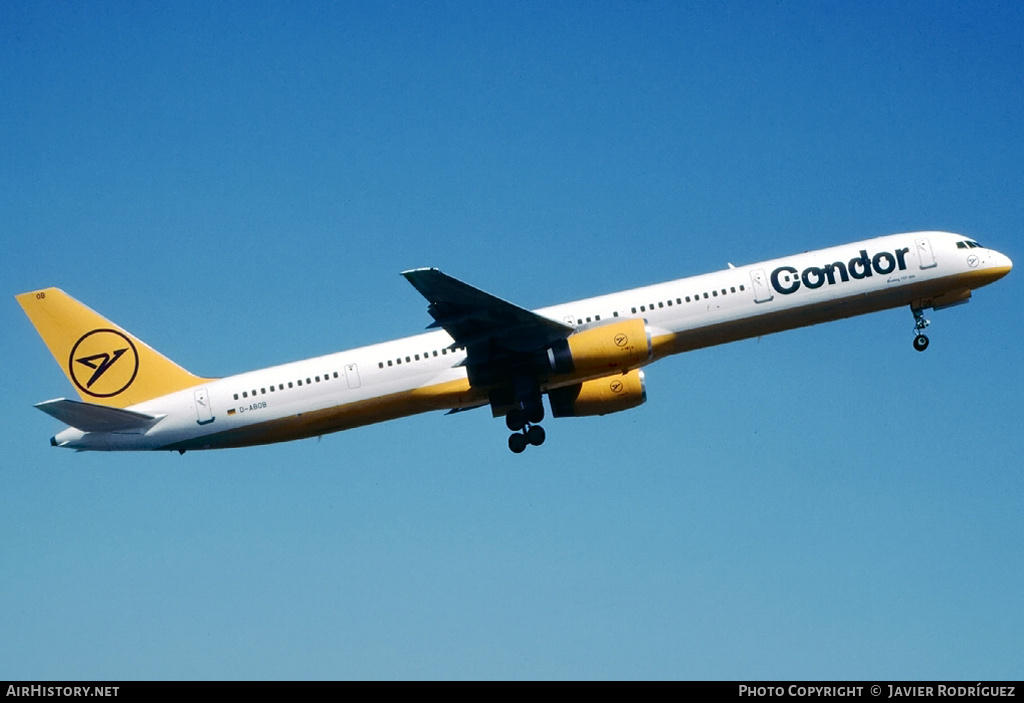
{"points": [[483, 323]]}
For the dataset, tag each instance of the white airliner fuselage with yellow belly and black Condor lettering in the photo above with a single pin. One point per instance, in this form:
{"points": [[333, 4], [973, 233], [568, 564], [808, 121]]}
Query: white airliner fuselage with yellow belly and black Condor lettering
{"points": [[422, 373]]}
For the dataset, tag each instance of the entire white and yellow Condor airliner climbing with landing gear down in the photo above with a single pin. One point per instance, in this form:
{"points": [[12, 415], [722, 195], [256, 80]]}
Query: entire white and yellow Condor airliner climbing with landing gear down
{"points": [[588, 357]]}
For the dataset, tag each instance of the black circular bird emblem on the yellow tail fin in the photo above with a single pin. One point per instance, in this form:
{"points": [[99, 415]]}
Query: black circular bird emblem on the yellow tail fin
{"points": [[104, 364]]}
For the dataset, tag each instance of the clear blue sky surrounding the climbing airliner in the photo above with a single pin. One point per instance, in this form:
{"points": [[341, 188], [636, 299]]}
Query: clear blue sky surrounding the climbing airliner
{"points": [[240, 185]]}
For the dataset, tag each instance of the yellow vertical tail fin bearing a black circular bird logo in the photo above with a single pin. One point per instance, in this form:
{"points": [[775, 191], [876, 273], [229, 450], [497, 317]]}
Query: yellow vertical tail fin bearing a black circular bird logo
{"points": [[106, 365]]}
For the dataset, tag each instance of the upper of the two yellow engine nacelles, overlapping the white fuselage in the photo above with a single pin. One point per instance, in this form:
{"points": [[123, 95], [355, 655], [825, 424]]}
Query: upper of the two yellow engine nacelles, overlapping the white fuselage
{"points": [[613, 347]]}
